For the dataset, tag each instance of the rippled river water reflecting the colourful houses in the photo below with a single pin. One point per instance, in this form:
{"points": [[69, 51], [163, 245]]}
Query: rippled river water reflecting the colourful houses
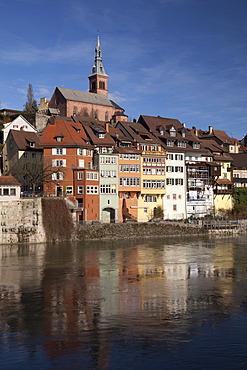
{"points": [[165, 304]]}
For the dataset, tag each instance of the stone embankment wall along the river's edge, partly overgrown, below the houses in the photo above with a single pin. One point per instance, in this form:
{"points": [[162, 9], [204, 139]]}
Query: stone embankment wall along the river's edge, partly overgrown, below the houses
{"points": [[43, 220]]}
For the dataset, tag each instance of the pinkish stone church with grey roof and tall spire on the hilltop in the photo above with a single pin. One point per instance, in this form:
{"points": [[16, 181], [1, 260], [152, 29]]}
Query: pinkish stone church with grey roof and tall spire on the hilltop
{"points": [[92, 104]]}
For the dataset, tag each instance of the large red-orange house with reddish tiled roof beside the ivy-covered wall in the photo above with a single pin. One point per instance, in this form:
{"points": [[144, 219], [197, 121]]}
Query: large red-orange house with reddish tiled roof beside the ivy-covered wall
{"points": [[69, 154]]}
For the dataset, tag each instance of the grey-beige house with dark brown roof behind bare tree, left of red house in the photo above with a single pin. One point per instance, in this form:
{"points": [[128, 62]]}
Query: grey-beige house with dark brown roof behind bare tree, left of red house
{"points": [[23, 159]]}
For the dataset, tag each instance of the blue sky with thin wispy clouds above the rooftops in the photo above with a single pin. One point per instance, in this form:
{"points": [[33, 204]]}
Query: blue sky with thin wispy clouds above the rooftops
{"points": [[184, 59]]}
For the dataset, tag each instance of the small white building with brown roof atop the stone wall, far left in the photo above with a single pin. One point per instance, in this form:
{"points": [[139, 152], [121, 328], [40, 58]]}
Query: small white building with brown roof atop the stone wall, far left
{"points": [[10, 188]]}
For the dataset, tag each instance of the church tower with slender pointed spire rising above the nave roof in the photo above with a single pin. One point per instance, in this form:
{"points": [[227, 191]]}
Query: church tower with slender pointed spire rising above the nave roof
{"points": [[98, 80]]}
